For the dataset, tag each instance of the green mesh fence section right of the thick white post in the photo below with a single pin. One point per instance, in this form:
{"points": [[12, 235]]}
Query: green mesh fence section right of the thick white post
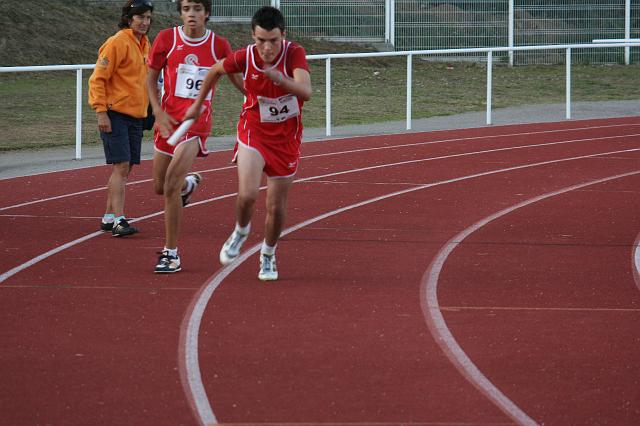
{"points": [[471, 23]]}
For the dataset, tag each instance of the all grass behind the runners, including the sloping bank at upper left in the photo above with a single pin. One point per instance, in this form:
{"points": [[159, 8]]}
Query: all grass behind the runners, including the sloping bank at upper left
{"points": [[38, 109]]}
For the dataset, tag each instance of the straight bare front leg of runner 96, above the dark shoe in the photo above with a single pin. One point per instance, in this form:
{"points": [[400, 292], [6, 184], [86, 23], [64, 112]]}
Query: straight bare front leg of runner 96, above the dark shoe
{"points": [[183, 159]]}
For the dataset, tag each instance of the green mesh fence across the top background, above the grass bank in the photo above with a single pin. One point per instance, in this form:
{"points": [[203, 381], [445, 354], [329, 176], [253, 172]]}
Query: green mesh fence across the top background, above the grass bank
{"points": [[453, 24]]}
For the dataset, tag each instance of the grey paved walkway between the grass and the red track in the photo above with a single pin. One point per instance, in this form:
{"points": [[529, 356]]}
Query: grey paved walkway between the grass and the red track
{"points": [[27, 162]]}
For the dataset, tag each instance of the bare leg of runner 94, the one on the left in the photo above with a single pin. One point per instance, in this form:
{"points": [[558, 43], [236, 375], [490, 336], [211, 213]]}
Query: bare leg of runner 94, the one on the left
{"points": [[250, 165]]}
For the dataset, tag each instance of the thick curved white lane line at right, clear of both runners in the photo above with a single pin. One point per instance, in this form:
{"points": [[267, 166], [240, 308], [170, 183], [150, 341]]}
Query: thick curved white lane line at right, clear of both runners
{"points": [[435, 320]]}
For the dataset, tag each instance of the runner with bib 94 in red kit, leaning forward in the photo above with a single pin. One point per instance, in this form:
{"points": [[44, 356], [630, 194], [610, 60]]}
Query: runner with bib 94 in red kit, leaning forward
{"points": [[277, 82]]}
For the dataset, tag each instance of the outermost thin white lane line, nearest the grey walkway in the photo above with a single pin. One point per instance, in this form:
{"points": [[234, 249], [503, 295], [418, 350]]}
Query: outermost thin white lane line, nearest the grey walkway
{"points": [[361, 150]]}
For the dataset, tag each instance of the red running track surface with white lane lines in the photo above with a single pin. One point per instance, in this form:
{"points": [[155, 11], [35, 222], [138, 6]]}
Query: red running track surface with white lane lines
{"points": [[478, 276]]}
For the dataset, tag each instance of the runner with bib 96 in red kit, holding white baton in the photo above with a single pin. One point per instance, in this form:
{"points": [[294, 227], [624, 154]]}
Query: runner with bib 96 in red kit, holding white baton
{"points": [[184, 55]]}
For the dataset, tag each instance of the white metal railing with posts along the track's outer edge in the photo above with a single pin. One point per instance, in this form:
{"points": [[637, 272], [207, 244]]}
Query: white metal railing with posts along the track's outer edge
{"points": [[328, 58]]}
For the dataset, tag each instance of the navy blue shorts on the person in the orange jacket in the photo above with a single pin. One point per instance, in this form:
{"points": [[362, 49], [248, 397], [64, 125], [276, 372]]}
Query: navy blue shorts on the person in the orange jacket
{"points": [[124, 142]]}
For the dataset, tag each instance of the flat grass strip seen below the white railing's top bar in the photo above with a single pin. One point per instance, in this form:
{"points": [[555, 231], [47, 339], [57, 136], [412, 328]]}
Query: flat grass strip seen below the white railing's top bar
{"points": [[39, 108]]}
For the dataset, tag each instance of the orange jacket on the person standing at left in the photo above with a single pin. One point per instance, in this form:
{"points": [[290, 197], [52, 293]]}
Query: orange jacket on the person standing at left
{"points": [[118, 81]]}
